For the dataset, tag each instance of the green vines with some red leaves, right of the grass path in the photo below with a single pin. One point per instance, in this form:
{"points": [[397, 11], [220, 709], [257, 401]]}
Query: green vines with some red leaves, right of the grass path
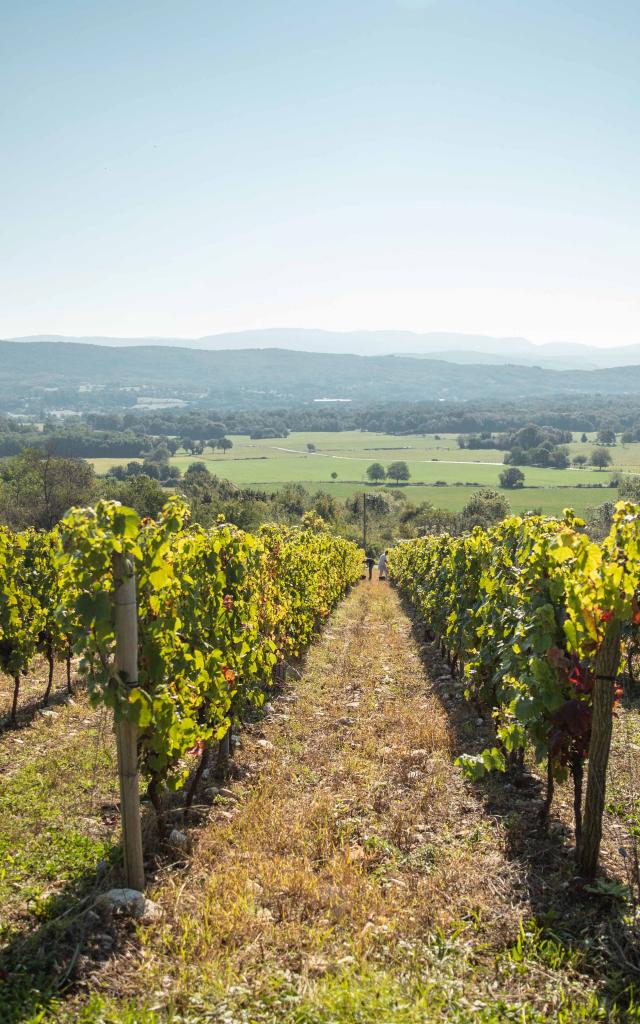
{"points": [[534, 616]]}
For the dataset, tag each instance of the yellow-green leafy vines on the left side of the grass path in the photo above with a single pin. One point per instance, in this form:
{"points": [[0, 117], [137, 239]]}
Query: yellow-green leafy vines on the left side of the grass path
{"points": [[217, 614]]}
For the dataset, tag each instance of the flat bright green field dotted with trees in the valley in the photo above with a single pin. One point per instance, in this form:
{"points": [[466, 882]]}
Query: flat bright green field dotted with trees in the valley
{"points": [[270, 463]]}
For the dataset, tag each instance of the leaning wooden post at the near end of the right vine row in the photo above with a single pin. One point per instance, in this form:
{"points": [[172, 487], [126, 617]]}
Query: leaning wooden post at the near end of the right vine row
{"points": [[608, 662]]}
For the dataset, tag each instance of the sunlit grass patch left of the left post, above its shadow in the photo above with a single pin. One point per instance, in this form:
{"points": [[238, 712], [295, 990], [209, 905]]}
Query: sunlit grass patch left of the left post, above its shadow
{"points": [[58, 810]]}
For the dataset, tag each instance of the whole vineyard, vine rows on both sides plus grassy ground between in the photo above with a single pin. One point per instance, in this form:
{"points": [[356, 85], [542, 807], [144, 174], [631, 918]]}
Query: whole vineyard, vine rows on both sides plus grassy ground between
{"points": [[352, 849]]}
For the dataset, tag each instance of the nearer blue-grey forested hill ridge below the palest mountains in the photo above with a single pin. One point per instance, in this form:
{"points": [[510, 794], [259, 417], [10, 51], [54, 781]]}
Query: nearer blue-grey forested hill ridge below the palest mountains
{"points": [[273, 377]]}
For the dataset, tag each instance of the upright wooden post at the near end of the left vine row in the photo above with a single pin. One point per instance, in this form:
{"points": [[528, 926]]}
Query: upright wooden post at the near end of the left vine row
{"points": [[126, 666]]}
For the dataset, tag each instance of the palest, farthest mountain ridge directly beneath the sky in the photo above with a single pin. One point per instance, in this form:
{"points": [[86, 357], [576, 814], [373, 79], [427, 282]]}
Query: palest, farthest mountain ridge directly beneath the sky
{"points": [[461, 349]]}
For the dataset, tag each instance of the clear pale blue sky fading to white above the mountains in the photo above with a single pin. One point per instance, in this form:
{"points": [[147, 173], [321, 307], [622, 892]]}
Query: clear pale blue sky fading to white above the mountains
{"points": [[182, 169]]}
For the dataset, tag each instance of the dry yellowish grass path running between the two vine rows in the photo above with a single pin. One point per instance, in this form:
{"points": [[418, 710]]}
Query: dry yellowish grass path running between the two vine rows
{"points": [[354, 877]]}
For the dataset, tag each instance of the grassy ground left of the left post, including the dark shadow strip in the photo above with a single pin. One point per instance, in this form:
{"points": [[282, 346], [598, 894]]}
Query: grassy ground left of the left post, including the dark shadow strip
{"points": [[59, 847]]}
